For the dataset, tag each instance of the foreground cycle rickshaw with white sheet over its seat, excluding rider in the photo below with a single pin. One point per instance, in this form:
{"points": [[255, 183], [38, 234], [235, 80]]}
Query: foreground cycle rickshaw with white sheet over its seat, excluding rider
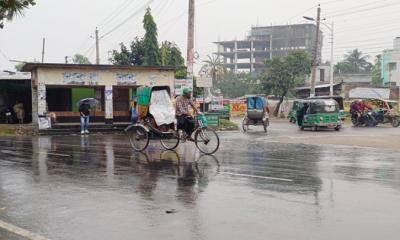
{"points": [[157, 122]]}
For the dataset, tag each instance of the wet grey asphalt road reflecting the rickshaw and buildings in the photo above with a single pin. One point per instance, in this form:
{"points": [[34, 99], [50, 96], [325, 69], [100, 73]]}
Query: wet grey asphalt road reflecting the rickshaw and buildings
{"points": [[95, 187]]}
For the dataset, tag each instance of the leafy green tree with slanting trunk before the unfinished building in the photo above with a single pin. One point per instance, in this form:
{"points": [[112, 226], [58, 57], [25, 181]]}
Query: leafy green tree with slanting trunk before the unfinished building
{"points": [[285, 73]]}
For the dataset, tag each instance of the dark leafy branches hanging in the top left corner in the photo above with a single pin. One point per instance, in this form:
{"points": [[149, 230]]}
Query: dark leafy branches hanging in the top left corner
{"points": [[12, 8]]}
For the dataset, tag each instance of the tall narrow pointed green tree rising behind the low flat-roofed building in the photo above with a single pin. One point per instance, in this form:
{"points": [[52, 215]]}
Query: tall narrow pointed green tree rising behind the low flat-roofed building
{"points": [[151, 50]]}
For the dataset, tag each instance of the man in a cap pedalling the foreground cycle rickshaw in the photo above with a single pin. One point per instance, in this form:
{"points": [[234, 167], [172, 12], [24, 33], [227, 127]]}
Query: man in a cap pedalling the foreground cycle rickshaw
{"points": [[184, 119]]}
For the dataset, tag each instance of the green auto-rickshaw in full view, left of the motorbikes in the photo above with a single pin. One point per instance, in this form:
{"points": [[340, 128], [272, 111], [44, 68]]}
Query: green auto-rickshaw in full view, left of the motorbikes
{"points": [[319, 113]]}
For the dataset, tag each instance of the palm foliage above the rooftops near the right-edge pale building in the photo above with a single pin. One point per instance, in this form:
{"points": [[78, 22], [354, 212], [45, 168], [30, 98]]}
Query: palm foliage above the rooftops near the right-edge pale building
{"points": [[354, 62]]}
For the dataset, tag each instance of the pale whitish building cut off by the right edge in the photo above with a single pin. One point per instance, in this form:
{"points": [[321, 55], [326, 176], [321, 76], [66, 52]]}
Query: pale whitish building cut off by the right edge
{"points": [[391, 64]]}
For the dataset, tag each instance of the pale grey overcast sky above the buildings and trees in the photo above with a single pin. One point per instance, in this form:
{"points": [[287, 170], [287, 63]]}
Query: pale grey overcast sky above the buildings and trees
{"points": [[69, 25]]}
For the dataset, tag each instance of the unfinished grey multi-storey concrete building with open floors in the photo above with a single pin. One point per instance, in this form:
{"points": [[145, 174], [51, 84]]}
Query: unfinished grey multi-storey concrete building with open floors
{"points": [[264, 43]]}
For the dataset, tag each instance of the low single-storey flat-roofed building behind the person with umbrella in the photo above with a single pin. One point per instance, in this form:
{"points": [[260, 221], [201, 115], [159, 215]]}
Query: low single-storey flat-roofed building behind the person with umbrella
{"points": [[57, 88]]}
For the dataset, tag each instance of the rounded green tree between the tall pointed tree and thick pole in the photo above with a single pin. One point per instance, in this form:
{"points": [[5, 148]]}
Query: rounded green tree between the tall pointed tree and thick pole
{"points": [[171, 55]]}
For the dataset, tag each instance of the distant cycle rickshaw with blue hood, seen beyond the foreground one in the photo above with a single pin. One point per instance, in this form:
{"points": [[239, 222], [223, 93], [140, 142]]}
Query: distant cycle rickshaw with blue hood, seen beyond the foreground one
{"points": [[257, 112]]}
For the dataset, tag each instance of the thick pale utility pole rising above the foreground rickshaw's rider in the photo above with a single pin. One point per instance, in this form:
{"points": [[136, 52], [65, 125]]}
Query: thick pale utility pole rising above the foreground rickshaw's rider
{"points": [[190, 44]]}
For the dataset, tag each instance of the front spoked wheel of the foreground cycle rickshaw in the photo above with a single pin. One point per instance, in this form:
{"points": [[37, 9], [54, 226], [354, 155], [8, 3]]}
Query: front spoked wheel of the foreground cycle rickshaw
{"points": [[206, 140]]}
